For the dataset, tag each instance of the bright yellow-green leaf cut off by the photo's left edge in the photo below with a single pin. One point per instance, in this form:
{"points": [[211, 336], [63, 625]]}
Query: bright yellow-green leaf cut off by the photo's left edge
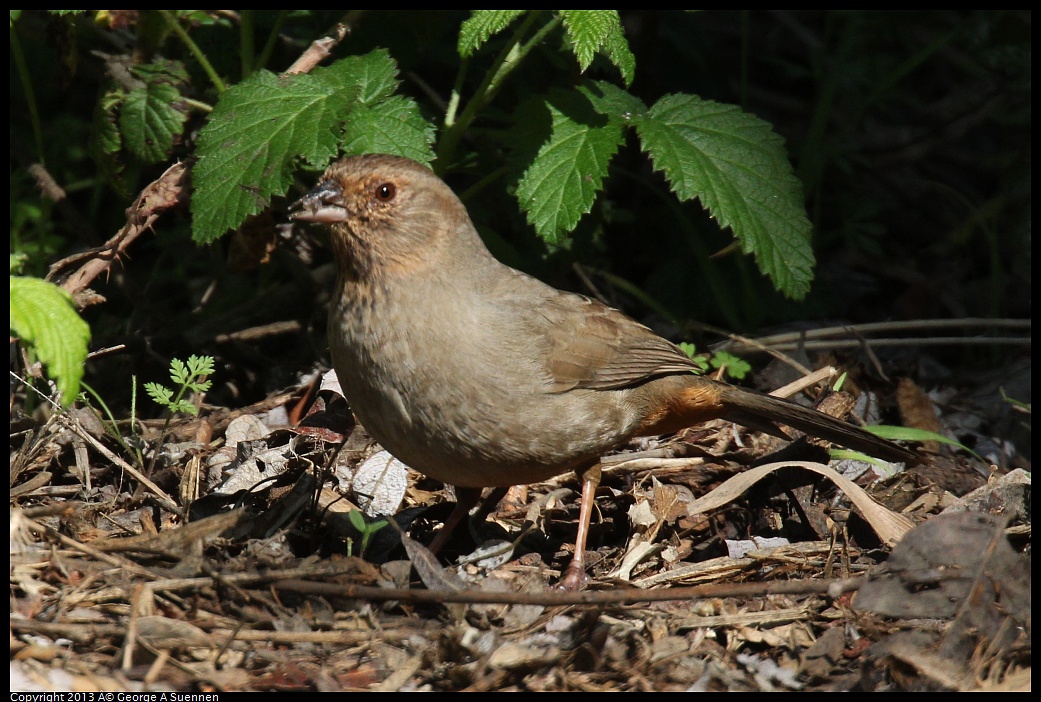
{"points": [[43, 315]]}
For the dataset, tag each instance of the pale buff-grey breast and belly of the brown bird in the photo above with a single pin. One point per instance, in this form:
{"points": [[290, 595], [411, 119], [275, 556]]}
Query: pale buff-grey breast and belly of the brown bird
{"points": [[448, 394]]}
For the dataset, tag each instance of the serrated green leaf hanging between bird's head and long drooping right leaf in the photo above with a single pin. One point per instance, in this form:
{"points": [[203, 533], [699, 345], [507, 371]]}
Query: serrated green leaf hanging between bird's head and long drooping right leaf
{"points": [[564, 178]]}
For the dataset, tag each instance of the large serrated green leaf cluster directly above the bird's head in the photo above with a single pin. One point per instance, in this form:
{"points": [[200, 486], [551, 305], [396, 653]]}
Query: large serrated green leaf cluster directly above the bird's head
{"points": [[259, 128]]}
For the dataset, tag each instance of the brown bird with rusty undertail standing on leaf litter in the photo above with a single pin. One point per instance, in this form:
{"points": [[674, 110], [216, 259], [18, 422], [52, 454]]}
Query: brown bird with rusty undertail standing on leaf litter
{"points": [[481, 377]]}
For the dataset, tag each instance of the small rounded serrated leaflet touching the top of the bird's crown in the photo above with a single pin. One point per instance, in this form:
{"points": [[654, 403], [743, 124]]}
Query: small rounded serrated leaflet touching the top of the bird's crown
{"points": [[392, 127]]}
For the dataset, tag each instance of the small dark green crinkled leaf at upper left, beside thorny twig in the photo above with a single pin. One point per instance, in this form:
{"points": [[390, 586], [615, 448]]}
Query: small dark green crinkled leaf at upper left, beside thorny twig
{"points": [[149, 121]]}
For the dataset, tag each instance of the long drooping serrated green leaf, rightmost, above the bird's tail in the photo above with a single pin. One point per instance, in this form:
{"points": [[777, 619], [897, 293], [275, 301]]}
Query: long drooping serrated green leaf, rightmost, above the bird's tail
{"points": [[738, 167]]}
